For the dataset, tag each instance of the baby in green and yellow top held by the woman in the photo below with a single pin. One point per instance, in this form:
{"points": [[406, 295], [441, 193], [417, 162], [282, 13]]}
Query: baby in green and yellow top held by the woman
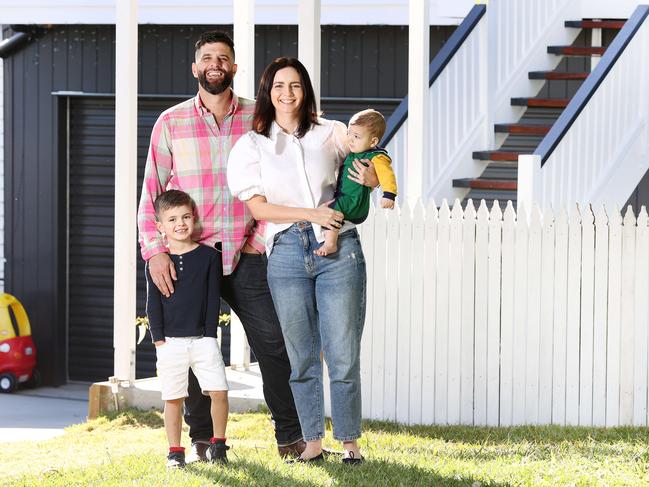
{"points": [[352, 199]]}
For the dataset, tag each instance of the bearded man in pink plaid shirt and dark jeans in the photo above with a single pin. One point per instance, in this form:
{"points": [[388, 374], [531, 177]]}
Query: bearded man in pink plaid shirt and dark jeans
{"points": [[190, 144]]}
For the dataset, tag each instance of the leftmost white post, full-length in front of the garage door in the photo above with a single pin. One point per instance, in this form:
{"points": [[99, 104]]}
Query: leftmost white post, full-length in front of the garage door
{"points": [[125, 188]]}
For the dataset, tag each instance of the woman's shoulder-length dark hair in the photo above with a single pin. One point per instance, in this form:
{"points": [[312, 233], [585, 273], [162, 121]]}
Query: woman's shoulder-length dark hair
{"points": [[264, 109]]}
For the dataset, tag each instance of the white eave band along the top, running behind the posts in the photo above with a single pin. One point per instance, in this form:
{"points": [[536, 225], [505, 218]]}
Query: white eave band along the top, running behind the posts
{"points": [[206, 12]]}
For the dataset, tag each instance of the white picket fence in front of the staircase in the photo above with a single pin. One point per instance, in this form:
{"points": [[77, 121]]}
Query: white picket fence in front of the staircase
{"points": [[491, 318]]}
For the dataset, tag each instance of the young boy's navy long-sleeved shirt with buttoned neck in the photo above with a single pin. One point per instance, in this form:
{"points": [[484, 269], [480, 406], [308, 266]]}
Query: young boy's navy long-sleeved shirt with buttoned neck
{"points": [[193, 308]]}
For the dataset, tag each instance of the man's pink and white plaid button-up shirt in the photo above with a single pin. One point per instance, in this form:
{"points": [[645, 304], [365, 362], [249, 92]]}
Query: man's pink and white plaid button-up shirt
{"points": [[189, 151]]}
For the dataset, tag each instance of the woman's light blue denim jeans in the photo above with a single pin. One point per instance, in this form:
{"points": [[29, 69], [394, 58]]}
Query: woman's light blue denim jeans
{"points": [[320, 302]]}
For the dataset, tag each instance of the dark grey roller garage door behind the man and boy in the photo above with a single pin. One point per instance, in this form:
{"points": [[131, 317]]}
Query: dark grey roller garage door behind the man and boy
{"points": [[91, 154]]}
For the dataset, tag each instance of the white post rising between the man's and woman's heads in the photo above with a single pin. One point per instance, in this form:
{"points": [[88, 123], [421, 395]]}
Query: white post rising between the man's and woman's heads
{"points": [[244, 44]]}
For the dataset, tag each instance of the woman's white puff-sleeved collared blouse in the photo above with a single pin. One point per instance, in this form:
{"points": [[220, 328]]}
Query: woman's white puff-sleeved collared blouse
{"points": [[289, 171]]}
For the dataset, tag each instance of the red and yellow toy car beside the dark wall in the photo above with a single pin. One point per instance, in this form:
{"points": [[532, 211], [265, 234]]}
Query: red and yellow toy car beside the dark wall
{"points": [[17, 350]]}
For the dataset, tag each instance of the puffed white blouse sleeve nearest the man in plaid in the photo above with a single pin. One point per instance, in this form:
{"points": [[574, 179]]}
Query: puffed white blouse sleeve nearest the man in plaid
{"points": [[244, 169]]}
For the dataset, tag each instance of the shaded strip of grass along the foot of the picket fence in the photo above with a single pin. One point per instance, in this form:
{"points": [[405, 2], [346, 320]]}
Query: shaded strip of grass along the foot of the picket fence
{"points": [[506, 435]]}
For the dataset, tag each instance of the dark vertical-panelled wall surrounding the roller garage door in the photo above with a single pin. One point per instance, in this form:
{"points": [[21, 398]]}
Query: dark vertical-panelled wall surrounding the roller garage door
{"points": [[357, 61]]}
